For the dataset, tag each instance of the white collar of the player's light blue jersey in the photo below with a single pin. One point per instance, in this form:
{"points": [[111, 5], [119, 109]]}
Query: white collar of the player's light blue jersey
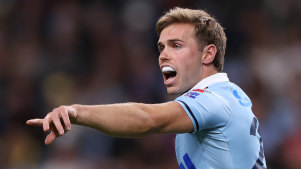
{"points": [[218, 77]]}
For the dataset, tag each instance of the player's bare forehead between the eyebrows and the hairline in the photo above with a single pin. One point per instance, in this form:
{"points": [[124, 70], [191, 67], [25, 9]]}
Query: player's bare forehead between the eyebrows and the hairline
{"points": [[181, 31]]}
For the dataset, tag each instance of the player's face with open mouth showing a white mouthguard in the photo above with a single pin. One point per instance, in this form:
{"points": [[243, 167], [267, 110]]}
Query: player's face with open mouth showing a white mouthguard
{"points": [[180, 58]]}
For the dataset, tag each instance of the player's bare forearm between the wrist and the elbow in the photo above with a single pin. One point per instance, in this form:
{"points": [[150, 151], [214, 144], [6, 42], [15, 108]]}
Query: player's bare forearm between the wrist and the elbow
{"points": [[121, 120]]}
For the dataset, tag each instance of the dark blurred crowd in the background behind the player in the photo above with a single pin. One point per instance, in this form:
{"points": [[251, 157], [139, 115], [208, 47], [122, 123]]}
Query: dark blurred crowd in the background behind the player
{"points": [[56, 53]]}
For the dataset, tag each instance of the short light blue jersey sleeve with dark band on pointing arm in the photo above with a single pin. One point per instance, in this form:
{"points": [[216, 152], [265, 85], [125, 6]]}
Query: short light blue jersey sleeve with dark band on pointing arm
{"points": [[206, 110]]}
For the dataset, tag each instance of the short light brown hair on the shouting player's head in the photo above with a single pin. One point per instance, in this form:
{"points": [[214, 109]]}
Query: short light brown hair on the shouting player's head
{"points": [[207, 30]]}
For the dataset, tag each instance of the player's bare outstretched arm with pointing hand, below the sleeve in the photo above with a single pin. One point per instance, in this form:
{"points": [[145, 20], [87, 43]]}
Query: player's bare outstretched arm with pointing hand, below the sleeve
{"points": [[120, 120]]}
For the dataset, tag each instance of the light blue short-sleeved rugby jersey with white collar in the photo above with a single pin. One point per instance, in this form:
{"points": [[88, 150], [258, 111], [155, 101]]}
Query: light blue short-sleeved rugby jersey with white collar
{"points": [[225, 129]]}
